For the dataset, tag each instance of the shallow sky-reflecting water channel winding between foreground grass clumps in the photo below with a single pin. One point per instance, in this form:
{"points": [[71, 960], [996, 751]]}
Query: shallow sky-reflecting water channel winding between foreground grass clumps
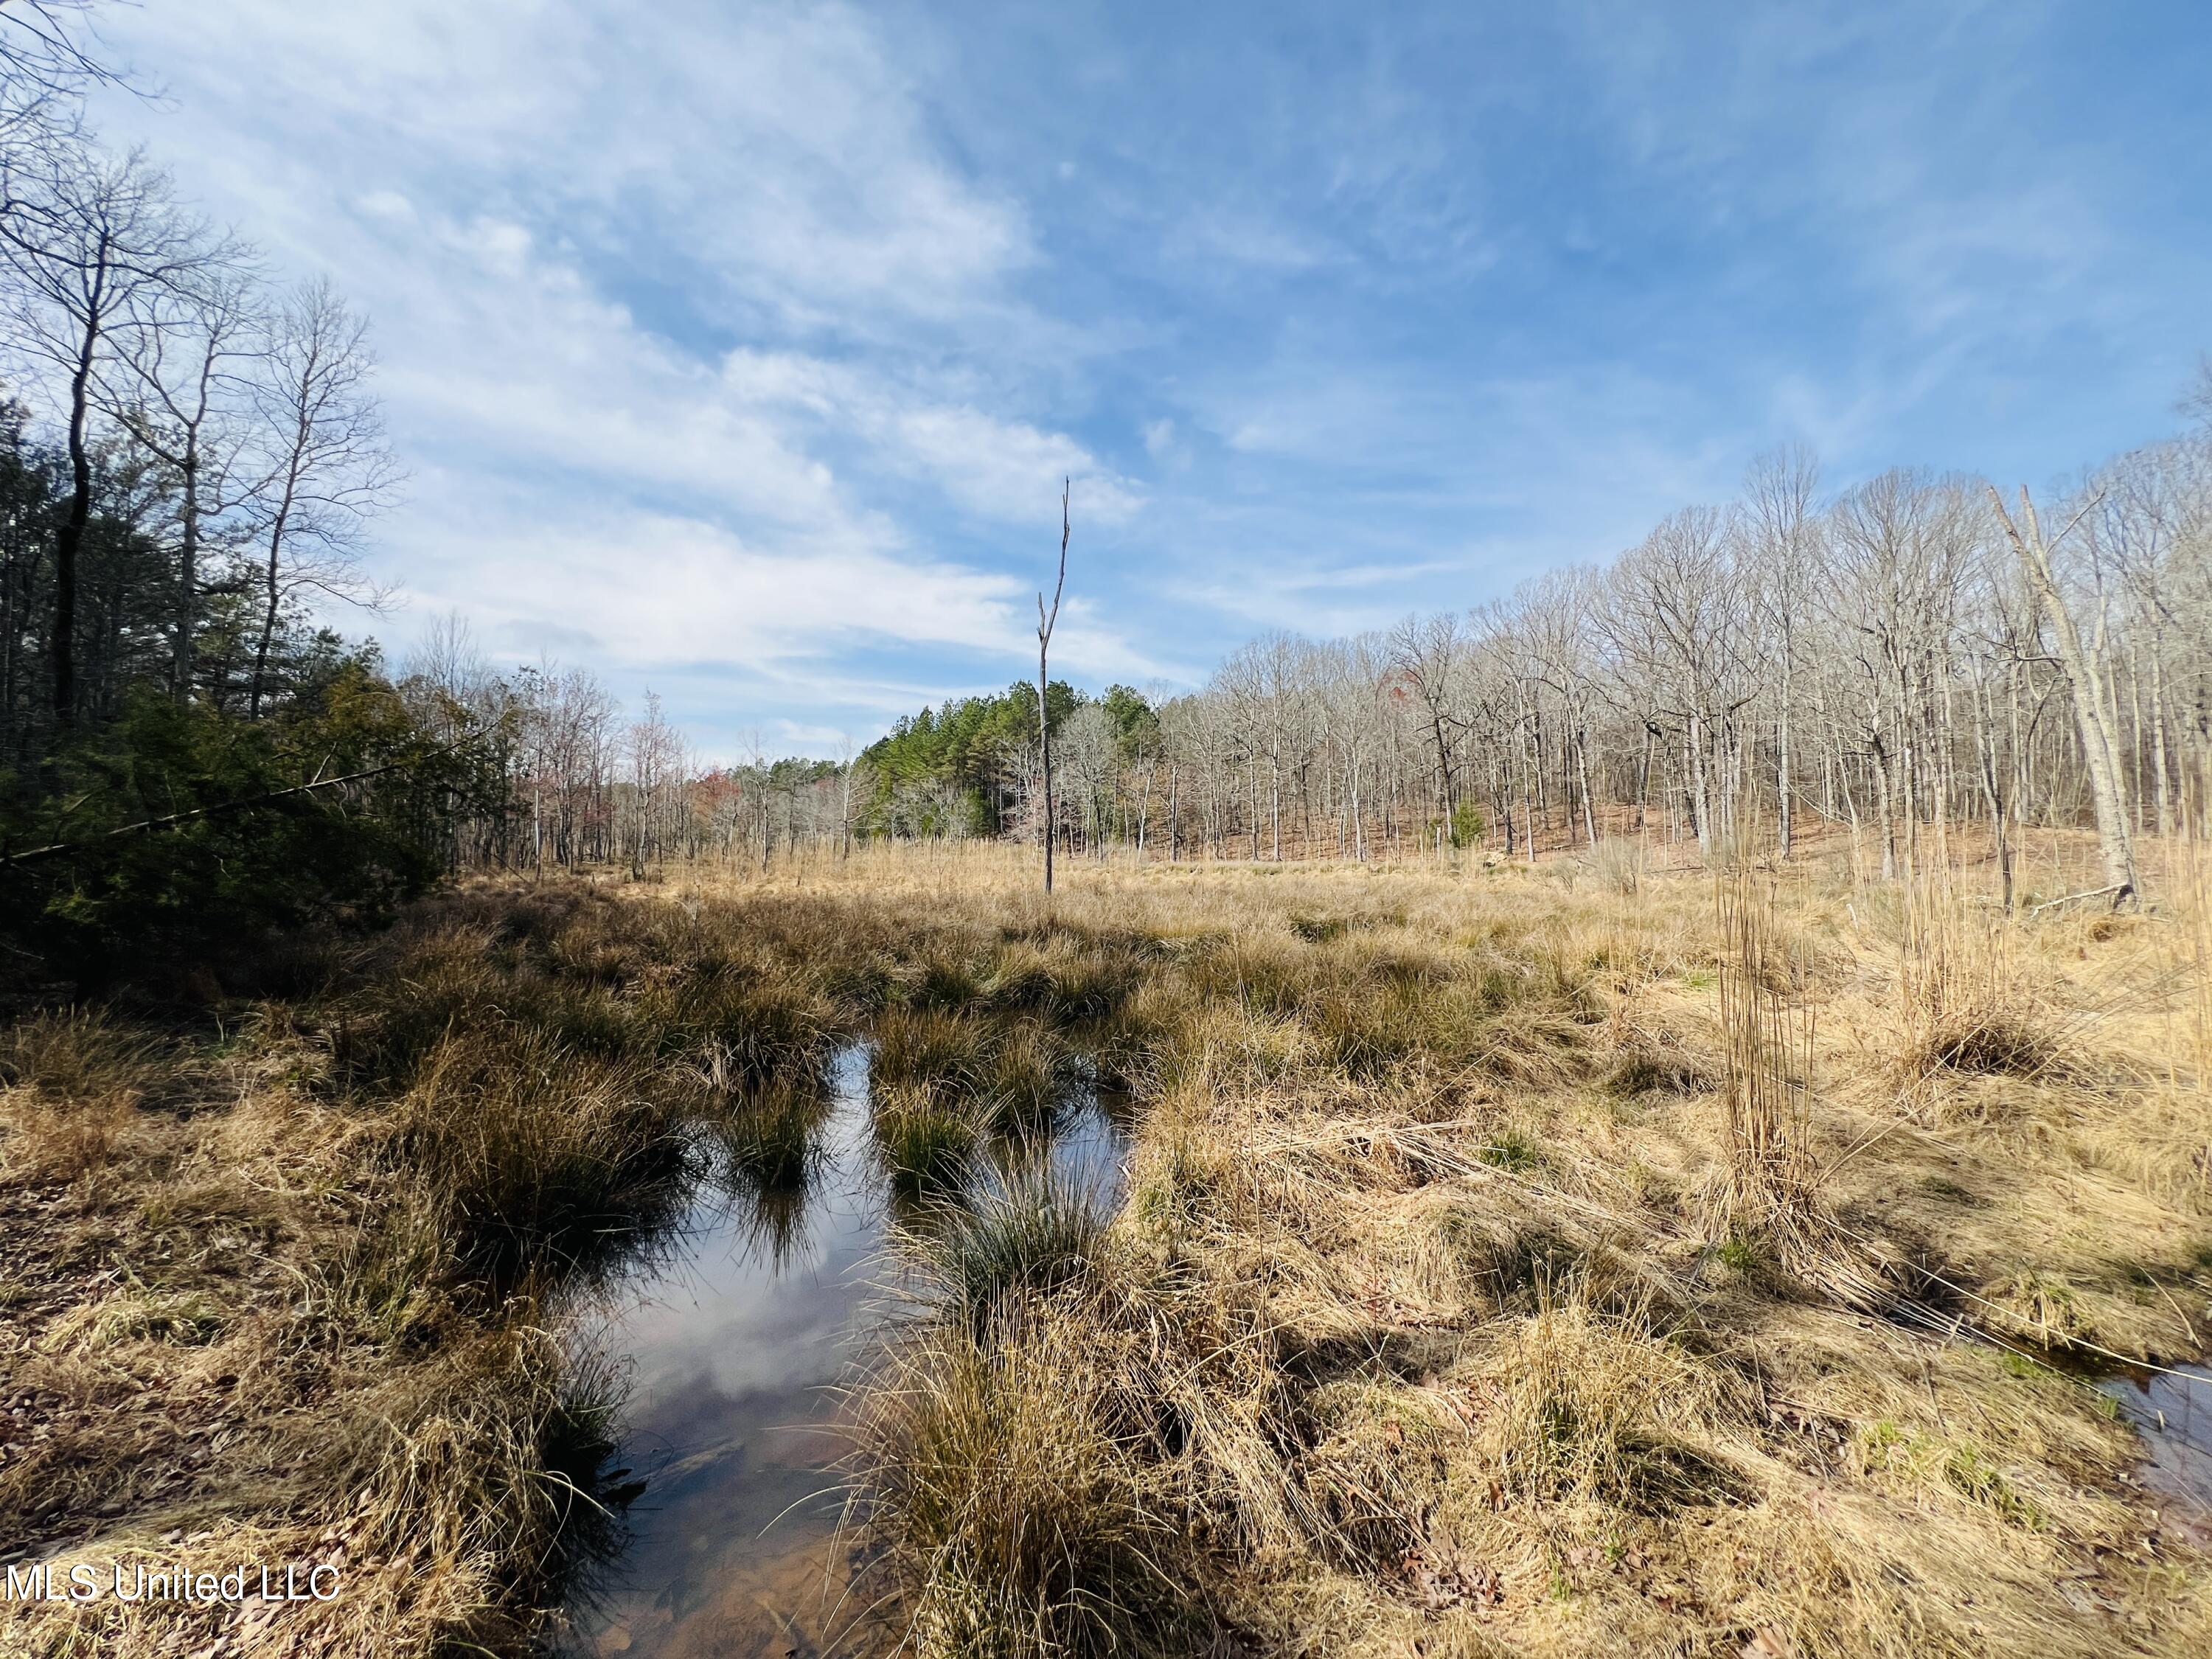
{"points": [[735, 1333]]}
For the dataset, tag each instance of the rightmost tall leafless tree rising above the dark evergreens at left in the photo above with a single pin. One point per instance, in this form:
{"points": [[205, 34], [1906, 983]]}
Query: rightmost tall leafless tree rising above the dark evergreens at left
{"points": [[326, 468]]}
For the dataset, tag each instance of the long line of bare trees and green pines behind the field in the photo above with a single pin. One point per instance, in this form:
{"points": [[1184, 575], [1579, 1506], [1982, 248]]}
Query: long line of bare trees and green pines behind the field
{"points": [[1903, 654]]}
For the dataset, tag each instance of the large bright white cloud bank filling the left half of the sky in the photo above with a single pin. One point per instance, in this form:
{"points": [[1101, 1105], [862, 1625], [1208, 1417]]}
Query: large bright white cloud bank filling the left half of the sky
{"points": [[501, 187]]}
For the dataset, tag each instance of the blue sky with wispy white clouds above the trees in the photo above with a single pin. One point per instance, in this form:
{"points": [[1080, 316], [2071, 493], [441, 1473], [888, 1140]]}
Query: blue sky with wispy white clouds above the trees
{"points": [[738, 351]]}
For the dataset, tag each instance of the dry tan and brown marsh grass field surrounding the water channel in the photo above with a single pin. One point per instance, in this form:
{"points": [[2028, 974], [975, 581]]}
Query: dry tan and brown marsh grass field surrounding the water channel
{"points": [[1514, 1262]]}
